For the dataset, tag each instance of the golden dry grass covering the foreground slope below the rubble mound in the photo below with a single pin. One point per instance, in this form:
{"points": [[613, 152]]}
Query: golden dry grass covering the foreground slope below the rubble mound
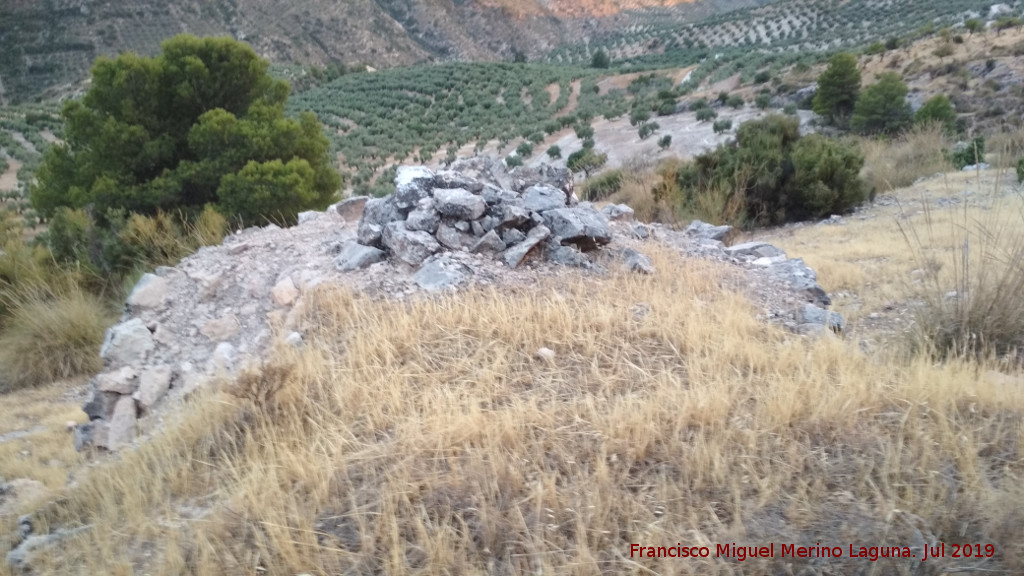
{"points": [[429, 438]]}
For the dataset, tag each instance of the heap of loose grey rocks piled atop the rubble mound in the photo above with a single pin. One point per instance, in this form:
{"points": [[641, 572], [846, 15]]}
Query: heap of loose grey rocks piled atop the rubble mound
{"points": [[434, 214]]}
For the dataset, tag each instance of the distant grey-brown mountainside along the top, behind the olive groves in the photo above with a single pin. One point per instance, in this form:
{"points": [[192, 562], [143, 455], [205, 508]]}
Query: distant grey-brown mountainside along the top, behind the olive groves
{"points": [[48, 47]]}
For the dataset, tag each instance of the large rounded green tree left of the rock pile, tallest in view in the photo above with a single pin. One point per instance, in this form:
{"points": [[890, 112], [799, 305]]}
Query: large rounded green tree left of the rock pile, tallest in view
{"points": [[185, 130]]}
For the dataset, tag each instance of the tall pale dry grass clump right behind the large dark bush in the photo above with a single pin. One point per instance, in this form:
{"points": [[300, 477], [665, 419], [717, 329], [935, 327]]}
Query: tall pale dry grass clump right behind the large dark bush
{"points": [[899, 163]]}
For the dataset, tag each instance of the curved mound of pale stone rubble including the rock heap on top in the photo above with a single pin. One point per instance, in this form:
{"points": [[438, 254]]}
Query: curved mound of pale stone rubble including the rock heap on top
{"points": [[477, 225]]}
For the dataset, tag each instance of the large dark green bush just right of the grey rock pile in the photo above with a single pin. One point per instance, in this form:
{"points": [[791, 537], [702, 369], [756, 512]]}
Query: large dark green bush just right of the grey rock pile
{"points": [[772, 176]]}
